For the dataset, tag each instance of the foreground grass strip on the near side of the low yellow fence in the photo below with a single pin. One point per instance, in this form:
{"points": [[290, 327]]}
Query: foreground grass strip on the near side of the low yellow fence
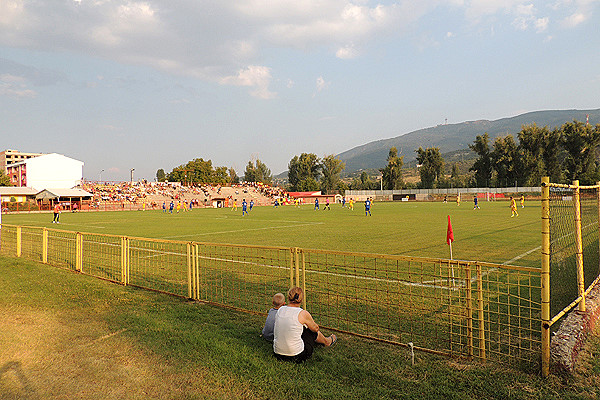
{"points": [[72, 336]]}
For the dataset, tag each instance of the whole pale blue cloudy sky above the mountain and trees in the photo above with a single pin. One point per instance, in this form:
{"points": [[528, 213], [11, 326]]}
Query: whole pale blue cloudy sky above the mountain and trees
{"points": [[143, 85]]}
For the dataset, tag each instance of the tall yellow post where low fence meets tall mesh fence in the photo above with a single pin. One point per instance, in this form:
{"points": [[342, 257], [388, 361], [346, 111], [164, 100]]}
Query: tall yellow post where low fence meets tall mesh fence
{"points": [[545, 276]]}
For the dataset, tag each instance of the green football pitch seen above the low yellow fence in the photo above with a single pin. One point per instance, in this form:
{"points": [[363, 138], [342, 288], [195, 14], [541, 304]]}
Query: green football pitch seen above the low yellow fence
{"points": [[396, 228]]}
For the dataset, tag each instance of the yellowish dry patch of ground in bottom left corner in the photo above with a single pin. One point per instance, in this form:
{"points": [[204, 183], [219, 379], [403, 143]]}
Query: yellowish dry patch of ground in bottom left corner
{"points": [[58, 356]]}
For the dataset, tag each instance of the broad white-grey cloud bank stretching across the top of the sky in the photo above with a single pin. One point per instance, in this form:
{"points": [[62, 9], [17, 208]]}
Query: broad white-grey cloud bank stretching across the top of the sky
{"points": [[217, 40]]}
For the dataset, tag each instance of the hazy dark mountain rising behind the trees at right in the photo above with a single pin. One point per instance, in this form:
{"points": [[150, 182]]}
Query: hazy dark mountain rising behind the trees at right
{"points": [[453, 137]]}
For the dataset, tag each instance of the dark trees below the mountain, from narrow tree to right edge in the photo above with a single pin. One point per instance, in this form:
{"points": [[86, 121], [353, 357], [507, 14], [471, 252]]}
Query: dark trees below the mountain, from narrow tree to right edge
{"points": [[564, 154]]}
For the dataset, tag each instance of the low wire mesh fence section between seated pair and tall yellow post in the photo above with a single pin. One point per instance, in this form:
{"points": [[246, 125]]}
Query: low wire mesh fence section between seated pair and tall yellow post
{"points": [[480, 310]]}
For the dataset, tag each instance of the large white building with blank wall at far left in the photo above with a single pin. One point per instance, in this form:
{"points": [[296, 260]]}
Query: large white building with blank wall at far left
{"points": [[47, 171]]}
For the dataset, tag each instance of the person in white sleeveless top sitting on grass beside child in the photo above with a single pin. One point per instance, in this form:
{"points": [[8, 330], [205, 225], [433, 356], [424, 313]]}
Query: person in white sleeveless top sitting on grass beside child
{"points": [[296, 333]]}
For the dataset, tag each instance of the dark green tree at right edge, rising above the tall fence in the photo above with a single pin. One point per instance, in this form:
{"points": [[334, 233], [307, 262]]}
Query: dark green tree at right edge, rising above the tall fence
{"points": [[580, 142]]}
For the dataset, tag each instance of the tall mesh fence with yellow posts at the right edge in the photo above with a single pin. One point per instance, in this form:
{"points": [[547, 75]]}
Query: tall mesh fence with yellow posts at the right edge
{"points": [[570, 253]]}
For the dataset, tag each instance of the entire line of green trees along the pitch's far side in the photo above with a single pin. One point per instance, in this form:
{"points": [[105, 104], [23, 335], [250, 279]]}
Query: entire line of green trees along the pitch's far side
{"points": [[564, 153]]}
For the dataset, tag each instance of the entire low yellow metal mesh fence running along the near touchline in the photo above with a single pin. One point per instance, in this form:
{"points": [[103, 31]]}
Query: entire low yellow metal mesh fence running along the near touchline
{"points": [[456, 308]]}
